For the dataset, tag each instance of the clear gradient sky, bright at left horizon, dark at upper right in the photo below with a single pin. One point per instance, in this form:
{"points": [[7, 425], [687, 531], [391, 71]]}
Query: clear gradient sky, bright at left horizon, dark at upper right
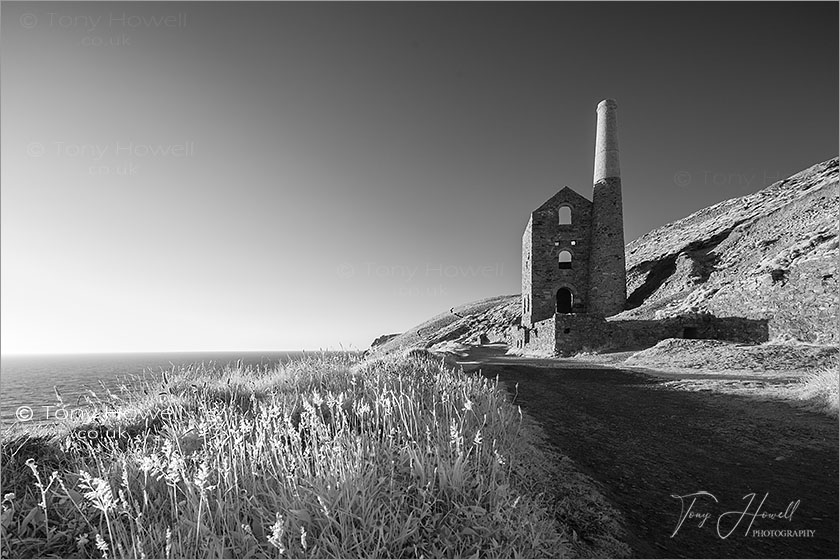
{"points": [[282, 176]]}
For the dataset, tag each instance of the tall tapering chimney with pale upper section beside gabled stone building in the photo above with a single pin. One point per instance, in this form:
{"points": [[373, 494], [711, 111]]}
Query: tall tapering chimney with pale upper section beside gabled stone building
{"points": [[607, 276]]}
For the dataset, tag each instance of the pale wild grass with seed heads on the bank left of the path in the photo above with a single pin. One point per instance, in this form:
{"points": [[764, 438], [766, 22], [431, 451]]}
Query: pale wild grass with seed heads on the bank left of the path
{"points": [[319, 458]]}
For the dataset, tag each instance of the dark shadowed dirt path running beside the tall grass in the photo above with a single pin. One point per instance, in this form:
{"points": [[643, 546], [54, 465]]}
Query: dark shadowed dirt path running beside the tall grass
{"points": [[646, 444]]}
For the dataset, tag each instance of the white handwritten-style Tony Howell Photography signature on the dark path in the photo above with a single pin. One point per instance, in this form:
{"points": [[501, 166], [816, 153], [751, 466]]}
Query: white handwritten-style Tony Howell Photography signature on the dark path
{"points": [[727, 522]]}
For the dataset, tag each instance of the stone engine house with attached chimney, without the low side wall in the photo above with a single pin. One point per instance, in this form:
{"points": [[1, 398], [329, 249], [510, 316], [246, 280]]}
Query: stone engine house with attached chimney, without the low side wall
{"points": [[573, 268]]}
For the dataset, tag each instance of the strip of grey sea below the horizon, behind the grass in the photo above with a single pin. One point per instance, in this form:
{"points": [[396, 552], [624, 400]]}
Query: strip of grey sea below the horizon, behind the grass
{"points": [[26, 382]]}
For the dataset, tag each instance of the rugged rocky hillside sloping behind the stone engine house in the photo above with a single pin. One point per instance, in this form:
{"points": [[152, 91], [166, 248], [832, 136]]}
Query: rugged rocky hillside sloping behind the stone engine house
{"points": [[772, 254]]}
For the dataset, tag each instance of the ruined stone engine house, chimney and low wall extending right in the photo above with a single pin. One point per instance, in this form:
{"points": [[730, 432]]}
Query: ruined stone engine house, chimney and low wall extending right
{"points": [[573, 270]]}
